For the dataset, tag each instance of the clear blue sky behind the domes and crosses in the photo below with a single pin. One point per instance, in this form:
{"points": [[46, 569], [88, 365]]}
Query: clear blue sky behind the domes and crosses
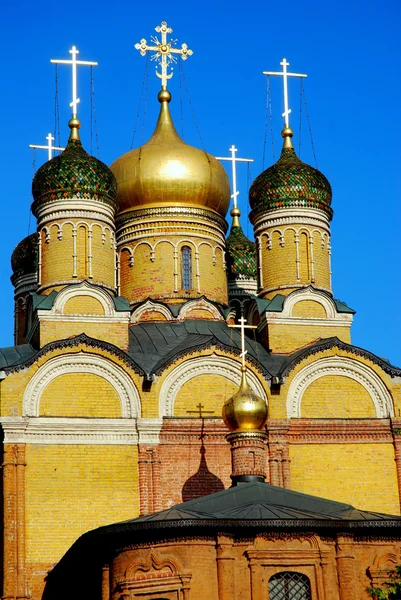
{"points": [[351, 53]]}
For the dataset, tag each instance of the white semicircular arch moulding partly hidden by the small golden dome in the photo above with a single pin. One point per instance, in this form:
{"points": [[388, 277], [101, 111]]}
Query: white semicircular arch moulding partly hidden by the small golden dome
{"points": [[196, 367]]}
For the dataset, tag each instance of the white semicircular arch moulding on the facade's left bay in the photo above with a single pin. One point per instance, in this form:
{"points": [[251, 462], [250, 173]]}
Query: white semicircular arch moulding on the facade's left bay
{"points": [[82, 363]]}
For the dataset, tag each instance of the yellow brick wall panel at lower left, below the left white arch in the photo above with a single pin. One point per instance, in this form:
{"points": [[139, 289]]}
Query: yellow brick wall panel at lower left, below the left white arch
{"points": [[72, 489]]}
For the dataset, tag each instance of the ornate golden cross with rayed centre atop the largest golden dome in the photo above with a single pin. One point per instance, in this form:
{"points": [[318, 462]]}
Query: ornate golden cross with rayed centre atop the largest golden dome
{"points": [[164, 52]]}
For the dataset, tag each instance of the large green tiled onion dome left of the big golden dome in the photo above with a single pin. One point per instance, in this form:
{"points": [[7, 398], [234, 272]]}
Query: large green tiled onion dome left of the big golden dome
{"points": [[74, 174]]}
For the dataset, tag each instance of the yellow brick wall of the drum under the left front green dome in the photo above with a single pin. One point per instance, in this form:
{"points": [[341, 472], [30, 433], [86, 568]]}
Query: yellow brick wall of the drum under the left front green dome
{"points": [[57, 256]]}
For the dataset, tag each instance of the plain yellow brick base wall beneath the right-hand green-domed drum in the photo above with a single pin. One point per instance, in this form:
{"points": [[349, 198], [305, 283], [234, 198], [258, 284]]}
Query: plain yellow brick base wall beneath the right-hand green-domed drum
{"points": [[289, 337]]}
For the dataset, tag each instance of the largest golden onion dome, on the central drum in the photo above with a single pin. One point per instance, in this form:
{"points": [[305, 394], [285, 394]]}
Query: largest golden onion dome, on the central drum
{"points": [[167, 171]]}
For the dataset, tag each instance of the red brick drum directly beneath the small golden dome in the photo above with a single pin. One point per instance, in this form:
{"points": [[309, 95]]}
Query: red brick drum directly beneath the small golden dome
{"points": [[248, 456]]}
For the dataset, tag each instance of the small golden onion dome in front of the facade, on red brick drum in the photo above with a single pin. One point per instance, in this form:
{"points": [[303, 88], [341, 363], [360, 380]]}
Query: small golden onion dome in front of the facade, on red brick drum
{"points": [[245, 410]]}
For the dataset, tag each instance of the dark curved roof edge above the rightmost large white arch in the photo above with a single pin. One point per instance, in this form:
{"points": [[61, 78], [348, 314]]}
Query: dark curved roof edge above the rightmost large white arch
{"points": [[333, 342]]}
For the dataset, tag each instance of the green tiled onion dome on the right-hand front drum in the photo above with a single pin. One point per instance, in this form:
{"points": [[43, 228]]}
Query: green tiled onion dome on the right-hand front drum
{"points": [[290, 183]]}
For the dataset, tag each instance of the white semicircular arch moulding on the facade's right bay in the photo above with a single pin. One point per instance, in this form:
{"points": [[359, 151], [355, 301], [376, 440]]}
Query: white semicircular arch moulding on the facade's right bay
{"points": [[344, 367]]}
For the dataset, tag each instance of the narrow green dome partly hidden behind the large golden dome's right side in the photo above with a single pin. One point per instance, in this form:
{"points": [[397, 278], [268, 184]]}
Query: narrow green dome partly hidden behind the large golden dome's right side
{"points": [[241, 252]]}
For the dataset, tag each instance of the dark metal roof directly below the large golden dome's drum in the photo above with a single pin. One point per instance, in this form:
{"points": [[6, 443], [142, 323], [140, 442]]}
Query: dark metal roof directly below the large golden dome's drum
{"points": [[154, 345]]}
